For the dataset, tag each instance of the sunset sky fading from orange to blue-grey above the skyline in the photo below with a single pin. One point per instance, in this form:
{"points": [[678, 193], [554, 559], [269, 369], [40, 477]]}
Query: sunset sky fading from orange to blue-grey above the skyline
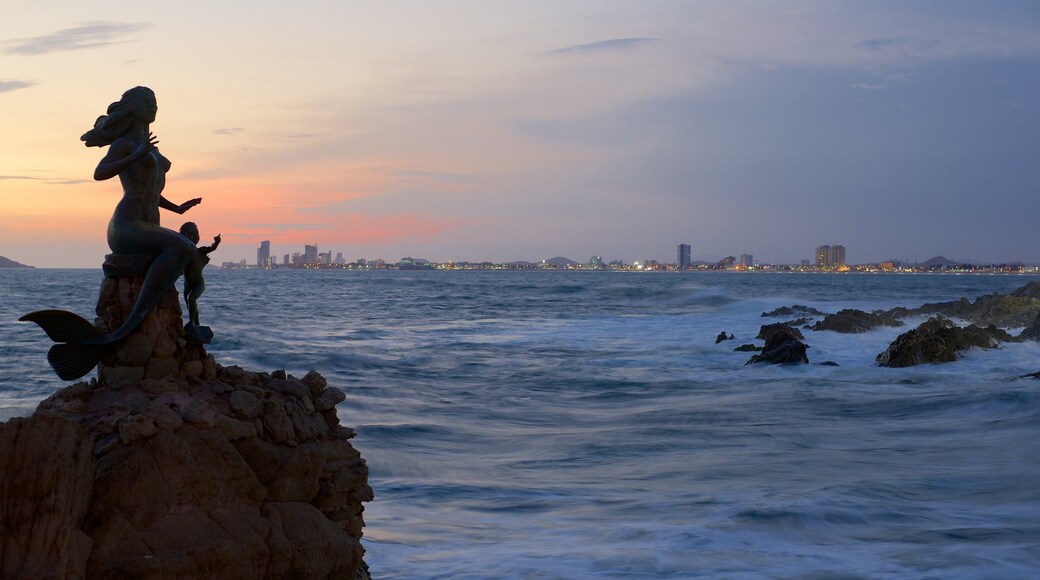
{"points": [[509, 130]]}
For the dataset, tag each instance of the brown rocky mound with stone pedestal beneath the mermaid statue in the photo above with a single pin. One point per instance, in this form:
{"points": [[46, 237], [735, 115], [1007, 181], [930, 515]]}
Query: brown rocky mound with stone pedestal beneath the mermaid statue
{"points": [[171, 466]]}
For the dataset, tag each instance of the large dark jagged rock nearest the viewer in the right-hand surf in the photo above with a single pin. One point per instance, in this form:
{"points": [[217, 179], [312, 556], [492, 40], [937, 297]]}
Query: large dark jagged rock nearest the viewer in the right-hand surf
{"points": [[939, 340]]}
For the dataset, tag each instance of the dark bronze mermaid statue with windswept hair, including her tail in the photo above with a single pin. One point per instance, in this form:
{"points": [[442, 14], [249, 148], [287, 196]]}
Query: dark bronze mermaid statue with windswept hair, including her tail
{"points": [[134, 230]]}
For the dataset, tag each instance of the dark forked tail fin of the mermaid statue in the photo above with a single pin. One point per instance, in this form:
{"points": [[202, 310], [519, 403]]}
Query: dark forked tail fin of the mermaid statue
{"points": [[82, 347]]}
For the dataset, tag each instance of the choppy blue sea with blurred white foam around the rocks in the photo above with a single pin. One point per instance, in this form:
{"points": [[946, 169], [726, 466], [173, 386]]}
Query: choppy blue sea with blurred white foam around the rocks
{"points": [[584, 425]]}
